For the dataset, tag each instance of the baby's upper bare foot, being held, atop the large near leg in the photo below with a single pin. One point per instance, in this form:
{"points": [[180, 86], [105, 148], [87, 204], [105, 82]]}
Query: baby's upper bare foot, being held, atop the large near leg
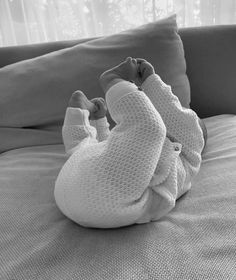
{"points": [[126, 70]]}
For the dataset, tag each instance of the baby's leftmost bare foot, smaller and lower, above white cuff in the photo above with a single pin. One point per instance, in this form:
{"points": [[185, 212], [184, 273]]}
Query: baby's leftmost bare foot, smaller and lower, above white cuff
{"points": [[79, 100]]}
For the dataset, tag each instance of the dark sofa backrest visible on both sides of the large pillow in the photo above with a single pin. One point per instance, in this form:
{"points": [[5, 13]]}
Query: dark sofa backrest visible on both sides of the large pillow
{"points": [[210, 54]]}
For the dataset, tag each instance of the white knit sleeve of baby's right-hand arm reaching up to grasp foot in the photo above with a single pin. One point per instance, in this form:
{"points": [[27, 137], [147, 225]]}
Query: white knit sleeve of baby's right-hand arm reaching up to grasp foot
{"points": [[182, 124]]}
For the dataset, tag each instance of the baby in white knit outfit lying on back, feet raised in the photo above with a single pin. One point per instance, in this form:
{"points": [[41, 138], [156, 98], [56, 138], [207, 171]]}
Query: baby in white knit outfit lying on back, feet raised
{"points": [[134, 173]]}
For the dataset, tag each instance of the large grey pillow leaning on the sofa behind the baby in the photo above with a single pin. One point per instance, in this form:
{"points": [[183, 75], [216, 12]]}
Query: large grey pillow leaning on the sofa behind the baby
{"points": [[35, 92]]}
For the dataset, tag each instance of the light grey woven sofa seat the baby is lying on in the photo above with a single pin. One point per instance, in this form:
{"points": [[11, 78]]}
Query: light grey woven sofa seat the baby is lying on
{"points": [[197, 240]]}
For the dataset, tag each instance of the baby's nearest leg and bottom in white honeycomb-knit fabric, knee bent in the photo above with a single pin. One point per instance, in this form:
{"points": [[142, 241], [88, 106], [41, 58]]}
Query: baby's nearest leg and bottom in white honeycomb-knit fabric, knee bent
{"points": [[107, 184]]}
